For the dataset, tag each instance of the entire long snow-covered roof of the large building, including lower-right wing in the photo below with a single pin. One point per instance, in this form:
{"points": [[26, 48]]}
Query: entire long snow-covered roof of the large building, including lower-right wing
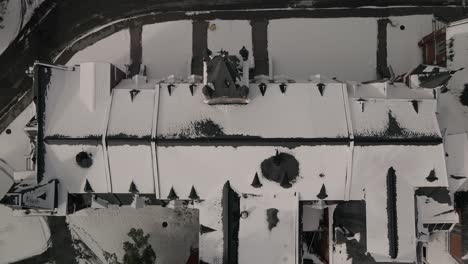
{"points": [[320, 141]]}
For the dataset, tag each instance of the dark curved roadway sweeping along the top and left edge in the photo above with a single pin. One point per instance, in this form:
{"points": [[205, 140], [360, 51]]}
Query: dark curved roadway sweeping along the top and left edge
{"points": [[57, 23]]}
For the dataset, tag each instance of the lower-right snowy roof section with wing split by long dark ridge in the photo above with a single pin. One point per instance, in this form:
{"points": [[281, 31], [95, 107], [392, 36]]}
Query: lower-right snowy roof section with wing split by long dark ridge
{"points": [[413, 166]]}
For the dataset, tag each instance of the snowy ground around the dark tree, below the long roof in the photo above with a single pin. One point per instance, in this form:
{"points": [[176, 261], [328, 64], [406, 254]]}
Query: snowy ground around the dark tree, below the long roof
{"points": [[106, 230]]}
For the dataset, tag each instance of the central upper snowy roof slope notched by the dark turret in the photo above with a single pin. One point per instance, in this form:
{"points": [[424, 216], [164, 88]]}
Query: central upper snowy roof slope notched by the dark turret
{"points": [[301, 112]]}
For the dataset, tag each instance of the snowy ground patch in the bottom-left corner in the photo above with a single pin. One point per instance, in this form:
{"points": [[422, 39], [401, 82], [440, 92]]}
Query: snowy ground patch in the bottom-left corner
{"points": [[21, 237]]}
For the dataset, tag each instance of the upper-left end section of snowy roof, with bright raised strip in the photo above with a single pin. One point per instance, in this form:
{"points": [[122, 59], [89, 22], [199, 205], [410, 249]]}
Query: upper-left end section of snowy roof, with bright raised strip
{"points": [[76, 102]]}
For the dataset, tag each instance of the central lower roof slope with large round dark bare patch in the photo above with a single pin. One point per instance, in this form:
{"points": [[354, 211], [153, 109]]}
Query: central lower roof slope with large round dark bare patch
{"points": [[182, 167]]}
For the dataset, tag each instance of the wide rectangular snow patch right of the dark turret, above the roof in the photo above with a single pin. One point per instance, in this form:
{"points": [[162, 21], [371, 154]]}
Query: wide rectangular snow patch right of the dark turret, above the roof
{"points": [[301, 47]]}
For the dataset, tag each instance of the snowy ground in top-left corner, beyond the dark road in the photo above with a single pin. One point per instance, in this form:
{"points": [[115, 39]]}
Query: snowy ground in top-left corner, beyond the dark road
{"points": [[14, 14]]}
